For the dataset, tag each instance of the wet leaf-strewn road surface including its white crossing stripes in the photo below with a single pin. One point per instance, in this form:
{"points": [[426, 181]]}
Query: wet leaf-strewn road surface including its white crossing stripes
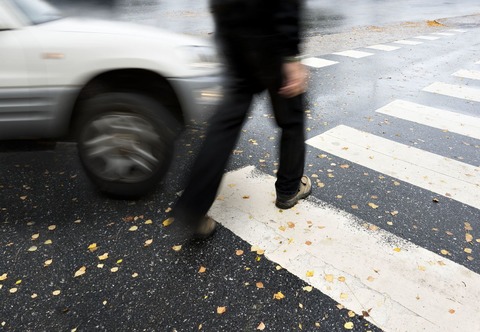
{"points": [[389, 239]]}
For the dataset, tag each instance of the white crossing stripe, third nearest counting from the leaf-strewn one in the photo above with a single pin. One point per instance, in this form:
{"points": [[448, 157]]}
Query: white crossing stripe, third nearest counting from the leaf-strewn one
{"points": [[433, 117]]}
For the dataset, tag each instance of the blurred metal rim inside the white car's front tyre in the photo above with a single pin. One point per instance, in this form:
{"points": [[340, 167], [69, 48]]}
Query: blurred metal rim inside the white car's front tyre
{"points": [[122, 147]]}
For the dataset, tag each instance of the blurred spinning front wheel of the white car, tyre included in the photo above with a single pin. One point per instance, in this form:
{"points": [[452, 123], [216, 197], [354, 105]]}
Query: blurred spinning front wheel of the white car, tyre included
{"points": [[125, 142]]}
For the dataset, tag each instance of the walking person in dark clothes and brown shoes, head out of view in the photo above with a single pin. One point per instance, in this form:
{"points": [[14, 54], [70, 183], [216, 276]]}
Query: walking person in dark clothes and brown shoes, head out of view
{"points": [[260, 42]]}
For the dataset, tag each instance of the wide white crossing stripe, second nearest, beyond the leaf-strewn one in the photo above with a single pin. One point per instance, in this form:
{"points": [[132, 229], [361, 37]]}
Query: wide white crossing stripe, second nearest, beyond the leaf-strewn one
{"points": [[441, 175]]}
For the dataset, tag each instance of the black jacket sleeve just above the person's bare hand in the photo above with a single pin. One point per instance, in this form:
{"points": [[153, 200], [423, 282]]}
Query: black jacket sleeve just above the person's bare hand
{"points": [[286, 18]]}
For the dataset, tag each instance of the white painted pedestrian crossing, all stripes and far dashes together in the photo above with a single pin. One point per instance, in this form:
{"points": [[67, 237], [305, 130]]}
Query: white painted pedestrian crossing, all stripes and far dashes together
{"points": [[326, 248]]}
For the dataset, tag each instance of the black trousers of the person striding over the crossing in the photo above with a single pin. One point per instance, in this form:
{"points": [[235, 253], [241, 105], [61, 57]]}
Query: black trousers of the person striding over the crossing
{"points": [[251, 69]]}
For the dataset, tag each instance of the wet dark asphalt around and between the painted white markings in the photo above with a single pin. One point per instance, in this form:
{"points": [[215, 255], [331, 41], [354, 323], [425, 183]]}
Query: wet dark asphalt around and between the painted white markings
{"points": [[50, 216]]}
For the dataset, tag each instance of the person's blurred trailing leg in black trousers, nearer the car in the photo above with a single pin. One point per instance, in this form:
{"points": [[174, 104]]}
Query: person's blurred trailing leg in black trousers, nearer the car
{"points": [[206, 174]]}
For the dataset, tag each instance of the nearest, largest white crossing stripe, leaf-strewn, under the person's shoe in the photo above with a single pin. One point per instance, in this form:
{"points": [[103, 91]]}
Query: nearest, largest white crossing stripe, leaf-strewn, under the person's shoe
{"points": [[407, 288]]}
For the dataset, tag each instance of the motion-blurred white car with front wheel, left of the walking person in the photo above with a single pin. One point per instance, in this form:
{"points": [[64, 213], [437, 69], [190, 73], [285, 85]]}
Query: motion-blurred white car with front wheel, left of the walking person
{"points": [[121, 90]]}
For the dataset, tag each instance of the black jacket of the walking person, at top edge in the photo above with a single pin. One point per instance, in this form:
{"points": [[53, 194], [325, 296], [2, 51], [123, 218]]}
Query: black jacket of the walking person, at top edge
{"points": [[274, 24]]}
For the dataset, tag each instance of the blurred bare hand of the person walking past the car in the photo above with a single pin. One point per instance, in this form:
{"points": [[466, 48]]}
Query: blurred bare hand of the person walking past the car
{"points": [[295, 79]]}
